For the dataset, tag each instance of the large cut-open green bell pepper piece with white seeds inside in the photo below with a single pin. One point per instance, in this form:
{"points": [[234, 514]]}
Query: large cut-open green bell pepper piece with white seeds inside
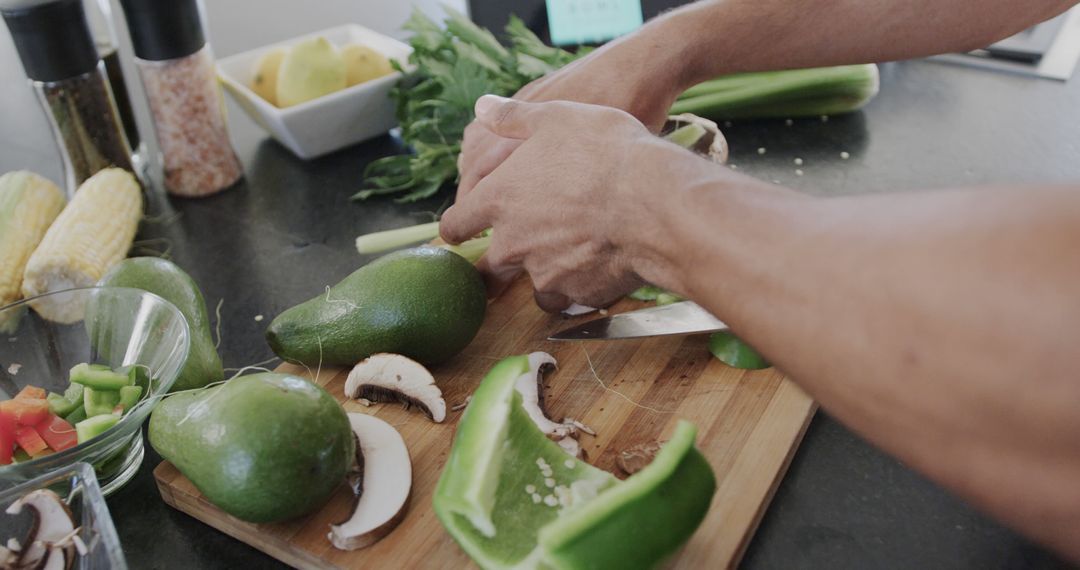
{"points": [[499, 456]]}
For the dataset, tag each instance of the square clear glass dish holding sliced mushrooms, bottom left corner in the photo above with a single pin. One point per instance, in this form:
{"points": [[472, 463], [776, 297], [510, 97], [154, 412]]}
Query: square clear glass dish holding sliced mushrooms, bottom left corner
{"points": [[78, 487]]}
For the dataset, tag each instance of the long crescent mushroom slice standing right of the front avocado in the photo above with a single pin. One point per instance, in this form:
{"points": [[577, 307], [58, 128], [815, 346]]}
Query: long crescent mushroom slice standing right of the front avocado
{"points": [[387, 483]]}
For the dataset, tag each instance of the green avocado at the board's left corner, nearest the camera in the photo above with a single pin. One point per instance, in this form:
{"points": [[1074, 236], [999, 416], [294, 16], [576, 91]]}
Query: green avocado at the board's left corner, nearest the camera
{"points": [[264, 449]]}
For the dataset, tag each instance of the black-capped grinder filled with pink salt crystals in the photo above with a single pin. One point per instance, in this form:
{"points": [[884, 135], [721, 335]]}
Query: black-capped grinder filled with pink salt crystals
{"points": [[186, 102]]}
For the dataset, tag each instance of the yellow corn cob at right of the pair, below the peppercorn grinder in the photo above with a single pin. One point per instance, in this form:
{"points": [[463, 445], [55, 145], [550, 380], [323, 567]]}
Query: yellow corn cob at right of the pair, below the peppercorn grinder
{"points": [[93, 234]]}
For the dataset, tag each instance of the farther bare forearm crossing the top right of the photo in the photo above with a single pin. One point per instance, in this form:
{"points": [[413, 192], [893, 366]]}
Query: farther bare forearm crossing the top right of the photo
{"points": [[717, 37]]}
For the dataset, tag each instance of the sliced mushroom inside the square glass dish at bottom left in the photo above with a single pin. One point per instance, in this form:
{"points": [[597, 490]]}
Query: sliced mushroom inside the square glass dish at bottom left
{"points": [[53, 524]]}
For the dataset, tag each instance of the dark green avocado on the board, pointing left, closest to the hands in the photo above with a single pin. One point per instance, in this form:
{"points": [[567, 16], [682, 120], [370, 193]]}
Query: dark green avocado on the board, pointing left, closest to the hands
{"points": [[426, 304]]}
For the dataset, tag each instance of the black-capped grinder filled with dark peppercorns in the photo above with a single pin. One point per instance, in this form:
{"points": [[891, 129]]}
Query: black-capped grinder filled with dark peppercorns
{"points": [[71, 82]]}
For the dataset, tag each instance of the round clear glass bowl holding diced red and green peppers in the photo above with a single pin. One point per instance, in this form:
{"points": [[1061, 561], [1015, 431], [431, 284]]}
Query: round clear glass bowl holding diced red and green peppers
{"points": [[114, 327]]}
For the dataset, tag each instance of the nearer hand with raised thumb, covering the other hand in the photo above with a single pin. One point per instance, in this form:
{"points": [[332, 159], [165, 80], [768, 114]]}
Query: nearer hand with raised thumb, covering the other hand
{"points": [[576, 206]]}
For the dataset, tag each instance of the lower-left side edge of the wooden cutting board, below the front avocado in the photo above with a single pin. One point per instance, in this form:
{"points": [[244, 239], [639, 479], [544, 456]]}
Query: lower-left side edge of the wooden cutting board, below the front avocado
{"points": [[212, 517]]}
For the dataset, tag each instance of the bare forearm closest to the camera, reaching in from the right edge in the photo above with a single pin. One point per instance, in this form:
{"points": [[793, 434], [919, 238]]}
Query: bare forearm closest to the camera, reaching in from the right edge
{"points": [[943, 327]]}
